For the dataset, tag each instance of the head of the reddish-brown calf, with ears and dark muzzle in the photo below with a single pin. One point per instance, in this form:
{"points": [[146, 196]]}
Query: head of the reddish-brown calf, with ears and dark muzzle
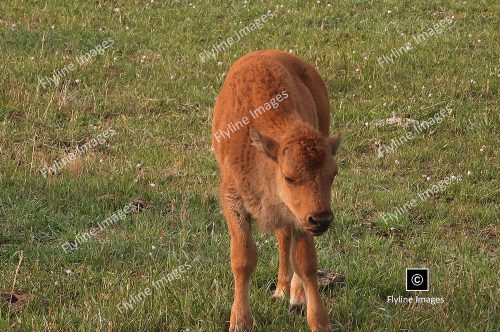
{"points": [[305, 169]]}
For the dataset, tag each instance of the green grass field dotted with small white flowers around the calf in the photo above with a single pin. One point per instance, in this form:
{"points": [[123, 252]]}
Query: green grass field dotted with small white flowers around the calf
{"points": [[153, 90]]}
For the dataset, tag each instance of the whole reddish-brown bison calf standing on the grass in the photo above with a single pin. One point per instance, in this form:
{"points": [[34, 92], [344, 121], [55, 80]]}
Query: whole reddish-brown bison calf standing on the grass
{"points": [[277, 168]]}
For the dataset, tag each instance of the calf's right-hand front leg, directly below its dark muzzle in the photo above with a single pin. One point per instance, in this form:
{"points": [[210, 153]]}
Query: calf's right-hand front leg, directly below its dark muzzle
{"points": [[305, 265]]}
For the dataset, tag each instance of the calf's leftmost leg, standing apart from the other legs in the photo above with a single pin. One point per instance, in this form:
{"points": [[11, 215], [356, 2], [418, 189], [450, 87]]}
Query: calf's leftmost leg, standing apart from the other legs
{"points": [[243, 258]]}
